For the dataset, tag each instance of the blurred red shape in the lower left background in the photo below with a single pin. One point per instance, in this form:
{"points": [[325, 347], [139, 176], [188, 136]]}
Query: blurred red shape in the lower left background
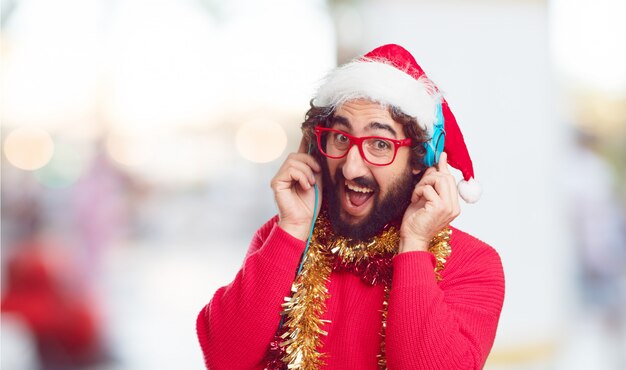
{"points": [[42, 292]]}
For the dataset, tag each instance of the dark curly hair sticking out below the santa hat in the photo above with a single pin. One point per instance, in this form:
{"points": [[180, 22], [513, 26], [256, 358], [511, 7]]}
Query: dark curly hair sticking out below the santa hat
{"points": [[322, 116]]}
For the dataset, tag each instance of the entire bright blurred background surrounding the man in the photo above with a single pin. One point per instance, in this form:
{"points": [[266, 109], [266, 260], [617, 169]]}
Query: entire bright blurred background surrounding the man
{"points": [[139, 139]]}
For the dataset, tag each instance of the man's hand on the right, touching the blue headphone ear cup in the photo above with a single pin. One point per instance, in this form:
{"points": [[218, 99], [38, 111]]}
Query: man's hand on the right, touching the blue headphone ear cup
{"points": [[434, 204]]}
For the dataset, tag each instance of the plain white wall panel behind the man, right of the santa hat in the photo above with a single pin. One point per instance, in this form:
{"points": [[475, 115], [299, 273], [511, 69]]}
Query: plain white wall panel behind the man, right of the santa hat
{"points": [[492, 61]]}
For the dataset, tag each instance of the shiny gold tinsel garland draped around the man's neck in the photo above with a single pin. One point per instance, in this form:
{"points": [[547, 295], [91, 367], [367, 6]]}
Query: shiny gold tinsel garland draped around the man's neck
{"points": [[300, 336]]}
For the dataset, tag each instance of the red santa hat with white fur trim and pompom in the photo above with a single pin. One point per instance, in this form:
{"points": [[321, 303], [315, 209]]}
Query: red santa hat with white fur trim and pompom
{"points": [[390, 76]]}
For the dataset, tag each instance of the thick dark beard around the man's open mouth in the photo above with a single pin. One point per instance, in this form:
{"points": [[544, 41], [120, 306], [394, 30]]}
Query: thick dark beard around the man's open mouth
{"points": [[387, 208]]}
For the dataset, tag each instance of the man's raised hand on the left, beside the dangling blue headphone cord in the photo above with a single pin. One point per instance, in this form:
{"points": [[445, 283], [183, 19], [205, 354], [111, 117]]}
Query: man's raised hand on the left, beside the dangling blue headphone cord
{"points": [[294, 192]]}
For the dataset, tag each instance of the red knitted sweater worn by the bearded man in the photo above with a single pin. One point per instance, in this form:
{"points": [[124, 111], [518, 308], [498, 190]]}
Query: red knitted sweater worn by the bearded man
{"points": [[449, 324]]}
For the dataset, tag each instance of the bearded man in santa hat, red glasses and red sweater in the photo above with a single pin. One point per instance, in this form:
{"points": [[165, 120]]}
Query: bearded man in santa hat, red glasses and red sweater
{"points": [[381, 280]]}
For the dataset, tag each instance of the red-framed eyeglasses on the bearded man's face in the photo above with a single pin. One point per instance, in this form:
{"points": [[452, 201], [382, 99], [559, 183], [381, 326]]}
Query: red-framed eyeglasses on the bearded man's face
{"points": [[376, 150]]}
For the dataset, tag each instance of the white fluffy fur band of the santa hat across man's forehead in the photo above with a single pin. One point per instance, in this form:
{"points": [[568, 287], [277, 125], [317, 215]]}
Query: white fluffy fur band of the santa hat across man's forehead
{"points": [[382, 83]]}
